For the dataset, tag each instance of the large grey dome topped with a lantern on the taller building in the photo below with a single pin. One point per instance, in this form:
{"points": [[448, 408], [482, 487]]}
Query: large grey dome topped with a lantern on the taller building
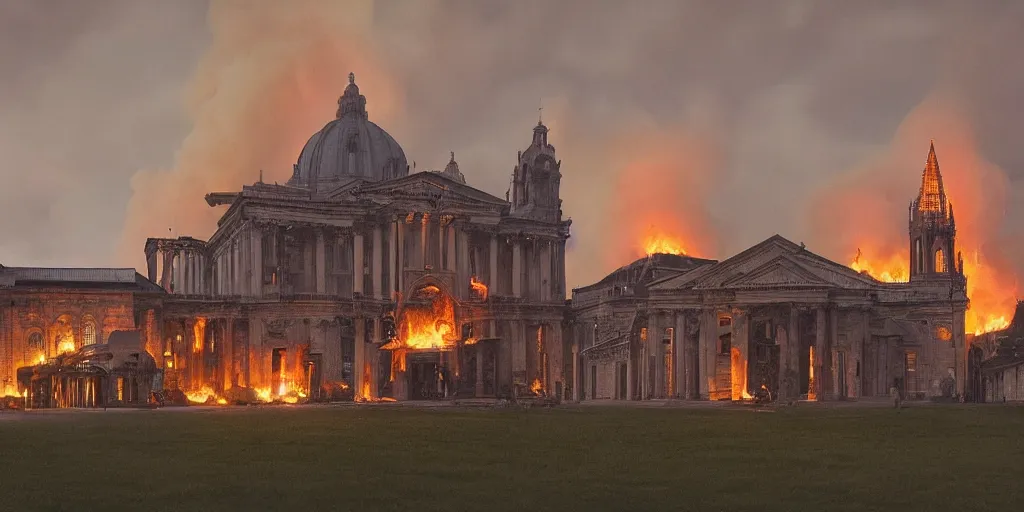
{"points": [[349, 148]]}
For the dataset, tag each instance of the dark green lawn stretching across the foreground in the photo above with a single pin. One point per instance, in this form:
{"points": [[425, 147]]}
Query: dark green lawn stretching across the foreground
{"points": [[390, 458]]}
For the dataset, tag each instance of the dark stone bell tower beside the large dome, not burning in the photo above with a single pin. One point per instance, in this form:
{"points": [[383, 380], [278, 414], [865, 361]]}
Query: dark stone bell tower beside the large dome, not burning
{"points": [[536, 181]]}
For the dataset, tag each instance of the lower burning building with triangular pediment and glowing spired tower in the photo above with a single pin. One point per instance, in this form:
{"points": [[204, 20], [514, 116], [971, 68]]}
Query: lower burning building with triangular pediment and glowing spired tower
{"points": [[780, 319]]}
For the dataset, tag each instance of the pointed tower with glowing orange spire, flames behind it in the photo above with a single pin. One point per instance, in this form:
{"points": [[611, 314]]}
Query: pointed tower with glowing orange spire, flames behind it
{"points": [[933, 228]]}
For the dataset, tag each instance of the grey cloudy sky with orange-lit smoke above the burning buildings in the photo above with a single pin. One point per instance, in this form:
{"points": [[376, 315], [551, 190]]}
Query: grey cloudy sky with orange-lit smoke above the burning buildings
{"points": [[723, 123]]}
